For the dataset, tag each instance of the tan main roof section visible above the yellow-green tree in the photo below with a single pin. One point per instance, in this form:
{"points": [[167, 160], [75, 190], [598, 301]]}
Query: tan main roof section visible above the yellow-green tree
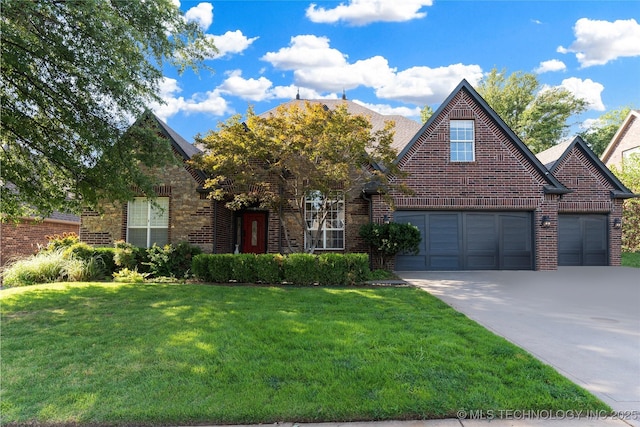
{"points": [[404, 129]]}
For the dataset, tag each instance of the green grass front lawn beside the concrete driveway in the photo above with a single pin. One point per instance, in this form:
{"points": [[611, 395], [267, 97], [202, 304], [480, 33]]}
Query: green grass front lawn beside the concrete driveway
{"points": [[112, 353]]}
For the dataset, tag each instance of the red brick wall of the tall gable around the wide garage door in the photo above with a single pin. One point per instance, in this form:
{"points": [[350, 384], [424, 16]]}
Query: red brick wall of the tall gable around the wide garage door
{"points": [[501, 178]]}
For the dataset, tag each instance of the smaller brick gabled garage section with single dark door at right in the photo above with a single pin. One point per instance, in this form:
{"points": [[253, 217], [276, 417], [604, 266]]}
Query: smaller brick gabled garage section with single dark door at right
{"points": [[590, 217]]}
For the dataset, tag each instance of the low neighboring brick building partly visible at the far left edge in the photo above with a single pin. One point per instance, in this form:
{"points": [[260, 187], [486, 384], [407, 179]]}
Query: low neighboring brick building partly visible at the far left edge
{"points": [[24, 238]]}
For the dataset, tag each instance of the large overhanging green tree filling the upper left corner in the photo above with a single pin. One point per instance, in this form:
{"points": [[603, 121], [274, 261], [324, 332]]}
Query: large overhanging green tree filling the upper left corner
{"points": [[74, 75]]}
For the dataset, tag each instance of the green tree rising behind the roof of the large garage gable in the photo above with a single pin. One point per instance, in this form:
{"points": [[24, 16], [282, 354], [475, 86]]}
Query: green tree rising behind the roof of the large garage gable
{"points": [[538, 115]]}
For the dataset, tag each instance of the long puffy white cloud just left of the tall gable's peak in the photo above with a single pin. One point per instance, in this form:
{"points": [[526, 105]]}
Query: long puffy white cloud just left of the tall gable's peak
{"points": [[318, 66]]}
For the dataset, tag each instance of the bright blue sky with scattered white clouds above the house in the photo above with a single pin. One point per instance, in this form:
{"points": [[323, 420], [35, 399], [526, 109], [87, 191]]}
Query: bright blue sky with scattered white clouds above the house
{"points": [[396, 56]]}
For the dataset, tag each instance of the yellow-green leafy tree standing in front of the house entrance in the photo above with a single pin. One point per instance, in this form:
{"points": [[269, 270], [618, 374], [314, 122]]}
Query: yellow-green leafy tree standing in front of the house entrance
{"points": [[303, 160]]}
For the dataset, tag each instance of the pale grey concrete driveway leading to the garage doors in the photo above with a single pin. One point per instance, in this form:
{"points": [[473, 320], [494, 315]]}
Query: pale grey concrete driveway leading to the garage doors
{"points": [[583, 321]]}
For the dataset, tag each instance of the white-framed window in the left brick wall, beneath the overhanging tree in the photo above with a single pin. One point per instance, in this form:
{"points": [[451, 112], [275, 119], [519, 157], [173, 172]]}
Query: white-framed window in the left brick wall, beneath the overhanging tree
{"points": [[148, 222]]}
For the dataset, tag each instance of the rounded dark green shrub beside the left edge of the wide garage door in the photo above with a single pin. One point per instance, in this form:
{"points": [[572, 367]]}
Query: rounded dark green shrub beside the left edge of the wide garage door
{"points": [[387, 240]]}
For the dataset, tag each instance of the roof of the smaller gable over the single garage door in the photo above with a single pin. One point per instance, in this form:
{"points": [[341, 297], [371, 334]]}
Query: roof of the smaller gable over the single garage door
{"points": [[555, 155]]}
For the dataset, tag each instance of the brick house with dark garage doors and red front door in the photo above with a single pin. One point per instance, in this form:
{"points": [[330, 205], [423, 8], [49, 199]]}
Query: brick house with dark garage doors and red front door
{"points": [[481, 199]]}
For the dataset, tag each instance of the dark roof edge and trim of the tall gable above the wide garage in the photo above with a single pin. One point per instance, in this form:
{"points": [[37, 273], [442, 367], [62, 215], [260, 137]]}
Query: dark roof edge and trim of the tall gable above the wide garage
{"points": [[554, 186]]}
